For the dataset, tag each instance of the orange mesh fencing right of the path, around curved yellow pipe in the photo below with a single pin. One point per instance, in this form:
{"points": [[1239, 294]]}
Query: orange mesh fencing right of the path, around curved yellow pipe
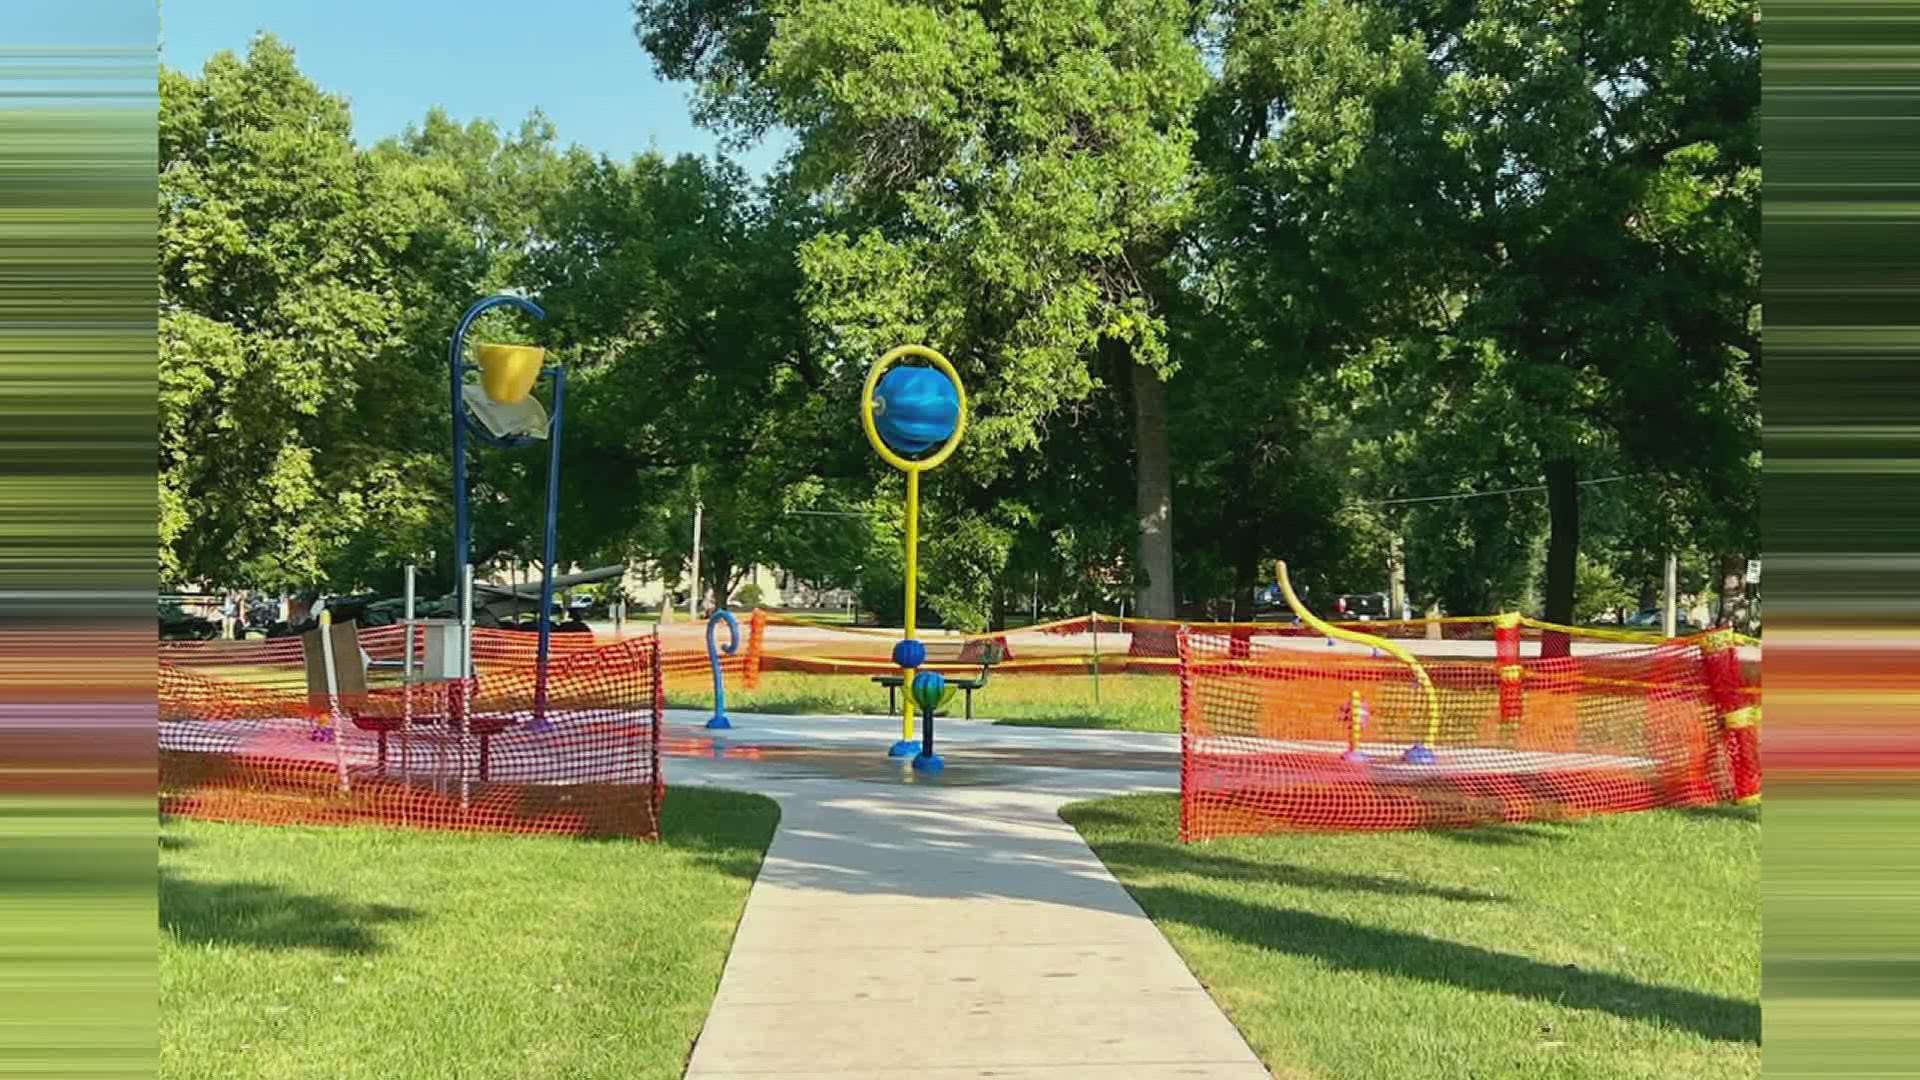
{"points": [[1270, 741]]}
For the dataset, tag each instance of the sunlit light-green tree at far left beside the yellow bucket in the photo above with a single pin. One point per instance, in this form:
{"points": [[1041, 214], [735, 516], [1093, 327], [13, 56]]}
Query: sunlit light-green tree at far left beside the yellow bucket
{"points": [[277, 316]]}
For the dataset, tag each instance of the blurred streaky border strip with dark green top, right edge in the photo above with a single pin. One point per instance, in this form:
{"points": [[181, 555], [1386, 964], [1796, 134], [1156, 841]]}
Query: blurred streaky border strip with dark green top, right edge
{"points": [[1842, 528]]}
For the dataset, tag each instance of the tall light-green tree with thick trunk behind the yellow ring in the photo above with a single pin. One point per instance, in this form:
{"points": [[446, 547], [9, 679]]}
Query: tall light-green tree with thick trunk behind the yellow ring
{"points": [[1003, 180]]}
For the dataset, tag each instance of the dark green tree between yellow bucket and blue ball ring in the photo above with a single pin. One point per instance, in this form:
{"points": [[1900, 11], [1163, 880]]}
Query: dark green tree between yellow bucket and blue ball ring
{"points": [[675, 287]]}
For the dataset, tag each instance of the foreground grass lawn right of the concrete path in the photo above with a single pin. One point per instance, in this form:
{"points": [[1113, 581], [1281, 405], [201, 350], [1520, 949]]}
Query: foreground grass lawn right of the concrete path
{"points": [[1612, 948]]}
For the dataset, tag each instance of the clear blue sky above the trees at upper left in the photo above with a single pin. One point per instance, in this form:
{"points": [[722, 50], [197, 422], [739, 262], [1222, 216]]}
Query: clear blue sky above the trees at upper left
{"points": [[577, 61]]}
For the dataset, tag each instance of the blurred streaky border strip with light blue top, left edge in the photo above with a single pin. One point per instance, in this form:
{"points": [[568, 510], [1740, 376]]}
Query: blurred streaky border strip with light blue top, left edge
{"points": [[78, 537]]}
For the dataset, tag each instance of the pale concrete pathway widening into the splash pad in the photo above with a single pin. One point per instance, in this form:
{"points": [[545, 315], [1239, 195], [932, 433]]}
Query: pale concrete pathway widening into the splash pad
{"points": [[946, 927]]}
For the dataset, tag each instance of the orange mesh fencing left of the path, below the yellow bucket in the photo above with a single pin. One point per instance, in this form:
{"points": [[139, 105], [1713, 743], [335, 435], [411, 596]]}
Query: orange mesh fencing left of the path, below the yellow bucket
{"points": [[247, 741]]}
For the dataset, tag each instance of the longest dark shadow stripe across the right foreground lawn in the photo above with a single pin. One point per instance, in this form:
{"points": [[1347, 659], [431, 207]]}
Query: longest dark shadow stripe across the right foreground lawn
{"points": [[1351, 946]]}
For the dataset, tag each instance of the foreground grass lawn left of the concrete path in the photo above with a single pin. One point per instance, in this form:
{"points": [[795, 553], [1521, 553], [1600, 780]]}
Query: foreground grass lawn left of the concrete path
{"points": [[391, 954]]}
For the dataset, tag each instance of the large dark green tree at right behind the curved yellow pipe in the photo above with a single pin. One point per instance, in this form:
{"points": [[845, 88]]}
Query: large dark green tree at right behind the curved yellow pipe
{"points": [[1556, 201]]}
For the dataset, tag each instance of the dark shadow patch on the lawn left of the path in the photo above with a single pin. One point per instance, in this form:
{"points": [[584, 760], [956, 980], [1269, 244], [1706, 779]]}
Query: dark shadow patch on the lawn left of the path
{"points": [[268, 918]]}
